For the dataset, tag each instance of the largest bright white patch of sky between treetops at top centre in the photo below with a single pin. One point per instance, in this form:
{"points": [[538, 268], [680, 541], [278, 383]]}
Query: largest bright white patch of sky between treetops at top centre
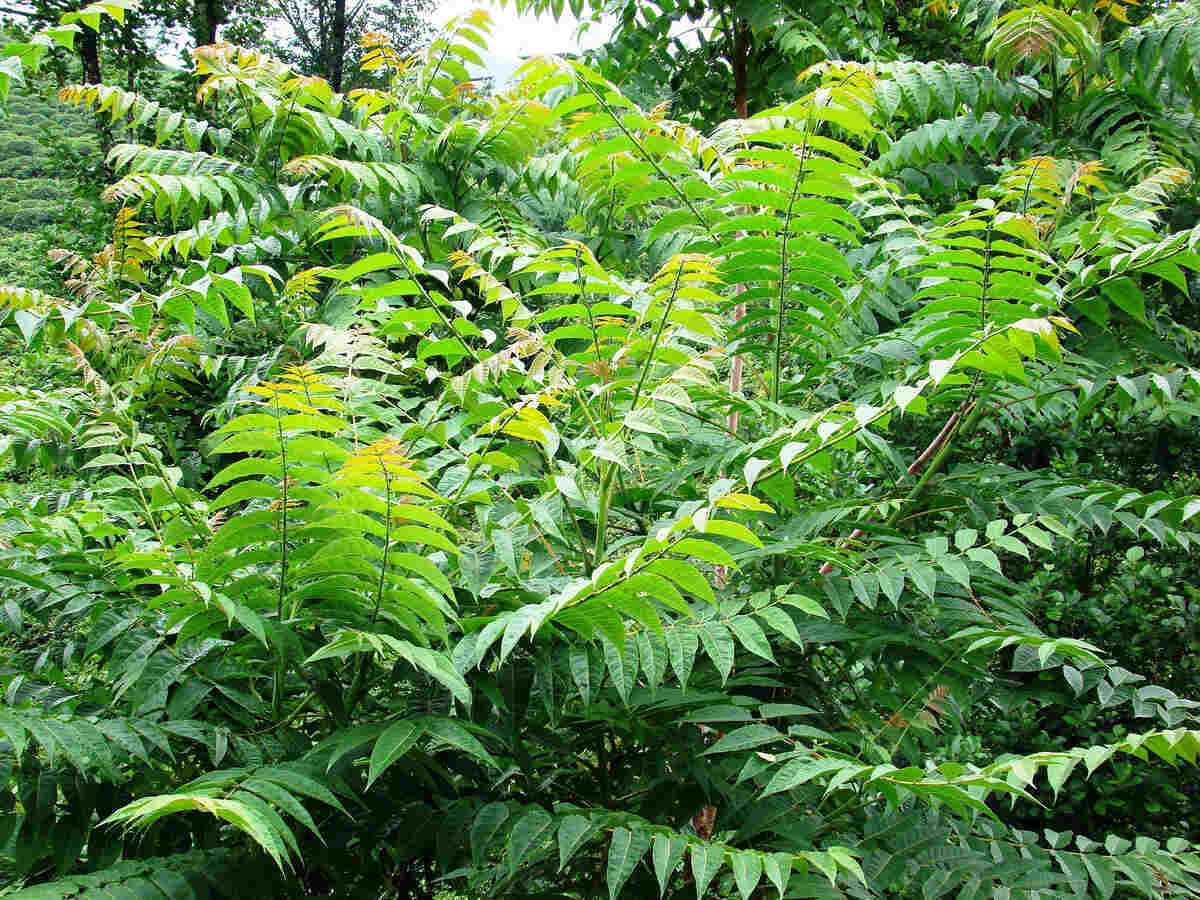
{"points": [[515, 37]]}
